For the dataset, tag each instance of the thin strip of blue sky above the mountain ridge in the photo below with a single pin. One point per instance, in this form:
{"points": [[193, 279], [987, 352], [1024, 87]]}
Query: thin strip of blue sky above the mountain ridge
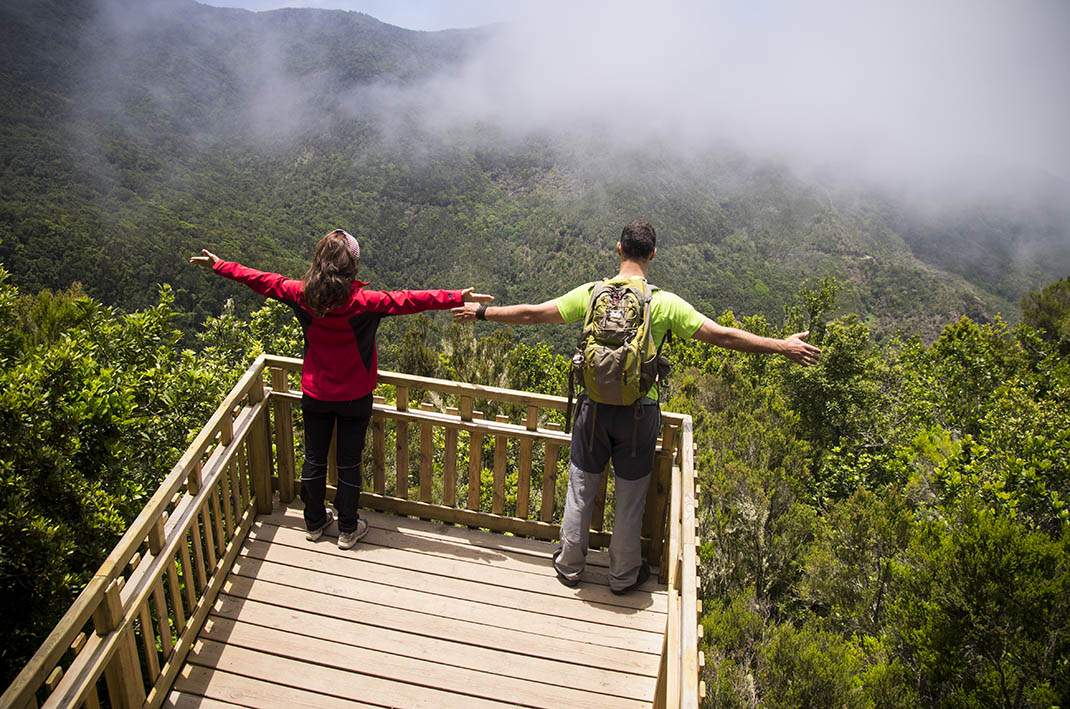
{"points": [[410, 14]]}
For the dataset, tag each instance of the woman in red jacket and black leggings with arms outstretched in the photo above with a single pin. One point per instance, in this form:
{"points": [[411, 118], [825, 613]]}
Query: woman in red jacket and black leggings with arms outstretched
{"points": [[340, 319]]}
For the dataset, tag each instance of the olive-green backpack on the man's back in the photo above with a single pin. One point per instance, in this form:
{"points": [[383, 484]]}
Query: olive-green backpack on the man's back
{"points": [[616, 359]]}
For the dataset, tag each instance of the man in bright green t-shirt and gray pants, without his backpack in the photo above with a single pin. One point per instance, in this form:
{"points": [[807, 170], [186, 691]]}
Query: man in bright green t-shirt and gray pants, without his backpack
{"points": [[626, 435]]}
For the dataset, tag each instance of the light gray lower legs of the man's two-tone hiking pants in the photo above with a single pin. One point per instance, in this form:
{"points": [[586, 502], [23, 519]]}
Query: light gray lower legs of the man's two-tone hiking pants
{"points": [[625, 556]]}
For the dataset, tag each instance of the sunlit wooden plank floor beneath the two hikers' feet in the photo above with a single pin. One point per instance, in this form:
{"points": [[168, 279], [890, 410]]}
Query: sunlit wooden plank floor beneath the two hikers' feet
{"points": [[419, 615]]}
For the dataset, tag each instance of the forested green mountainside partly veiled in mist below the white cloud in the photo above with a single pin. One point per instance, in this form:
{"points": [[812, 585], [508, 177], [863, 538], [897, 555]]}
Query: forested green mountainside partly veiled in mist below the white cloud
{"points": [[165, 127]]}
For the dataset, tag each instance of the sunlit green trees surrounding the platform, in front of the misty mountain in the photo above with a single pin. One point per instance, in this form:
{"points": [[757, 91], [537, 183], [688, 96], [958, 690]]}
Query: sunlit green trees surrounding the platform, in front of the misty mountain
{"points": [[895, 532]]}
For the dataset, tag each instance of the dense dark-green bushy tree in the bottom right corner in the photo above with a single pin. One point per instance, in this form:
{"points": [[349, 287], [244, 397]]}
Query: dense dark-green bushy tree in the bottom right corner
{"points": [[982, 612]]}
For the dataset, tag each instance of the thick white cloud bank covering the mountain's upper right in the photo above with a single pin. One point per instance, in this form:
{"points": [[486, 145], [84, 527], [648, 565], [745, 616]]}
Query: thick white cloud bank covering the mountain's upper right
{"points": [[953, 95]]}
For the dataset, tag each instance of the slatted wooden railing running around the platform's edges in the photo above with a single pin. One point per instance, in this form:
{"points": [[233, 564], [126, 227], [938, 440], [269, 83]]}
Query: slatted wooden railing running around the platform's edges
{"points": [[486, 457]]}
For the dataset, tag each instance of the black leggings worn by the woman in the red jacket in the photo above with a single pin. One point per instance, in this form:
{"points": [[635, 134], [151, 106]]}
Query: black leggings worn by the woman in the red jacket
{"points": [[353, 419]]}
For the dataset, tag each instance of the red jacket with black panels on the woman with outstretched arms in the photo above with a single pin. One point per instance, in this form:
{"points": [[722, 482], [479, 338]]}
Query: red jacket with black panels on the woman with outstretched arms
{"points": [[341, 359]]}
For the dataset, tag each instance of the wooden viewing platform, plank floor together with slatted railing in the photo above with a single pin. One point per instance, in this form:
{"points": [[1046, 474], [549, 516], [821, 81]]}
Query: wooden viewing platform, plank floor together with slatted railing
{"points": [[215, 598]]}
